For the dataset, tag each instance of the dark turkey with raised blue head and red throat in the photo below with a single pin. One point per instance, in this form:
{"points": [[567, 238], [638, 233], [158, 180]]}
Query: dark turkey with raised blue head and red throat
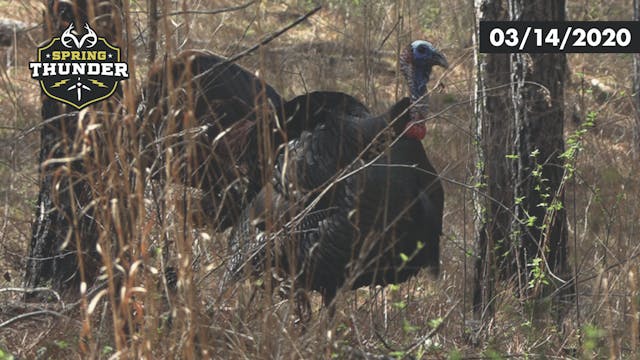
{"points": [[350, 203]]}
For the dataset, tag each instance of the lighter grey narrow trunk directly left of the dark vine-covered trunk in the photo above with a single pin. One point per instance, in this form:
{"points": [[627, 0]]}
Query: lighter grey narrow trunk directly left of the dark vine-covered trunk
{"points": [[494, 133]]}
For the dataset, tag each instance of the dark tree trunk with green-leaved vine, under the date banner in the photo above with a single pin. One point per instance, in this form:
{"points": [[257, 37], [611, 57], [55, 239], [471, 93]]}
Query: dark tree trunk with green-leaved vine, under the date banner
{"points": [[539, 230]]}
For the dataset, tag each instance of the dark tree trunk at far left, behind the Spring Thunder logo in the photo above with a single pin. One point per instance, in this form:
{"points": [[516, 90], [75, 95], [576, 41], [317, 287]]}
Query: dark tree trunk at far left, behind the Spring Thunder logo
{"points": [[62, 250]]}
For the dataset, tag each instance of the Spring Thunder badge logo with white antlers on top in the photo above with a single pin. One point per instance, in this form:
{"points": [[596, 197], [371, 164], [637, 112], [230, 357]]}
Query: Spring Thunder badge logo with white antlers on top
{"points": [[79, 70]]}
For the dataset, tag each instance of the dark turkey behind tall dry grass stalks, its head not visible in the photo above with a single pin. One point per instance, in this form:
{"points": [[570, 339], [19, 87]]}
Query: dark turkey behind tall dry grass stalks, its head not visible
{"points": [[210, 114]]}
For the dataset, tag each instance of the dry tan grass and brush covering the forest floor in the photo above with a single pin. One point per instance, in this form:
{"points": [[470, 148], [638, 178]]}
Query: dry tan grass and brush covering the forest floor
{"points": [[345, 47]]}
